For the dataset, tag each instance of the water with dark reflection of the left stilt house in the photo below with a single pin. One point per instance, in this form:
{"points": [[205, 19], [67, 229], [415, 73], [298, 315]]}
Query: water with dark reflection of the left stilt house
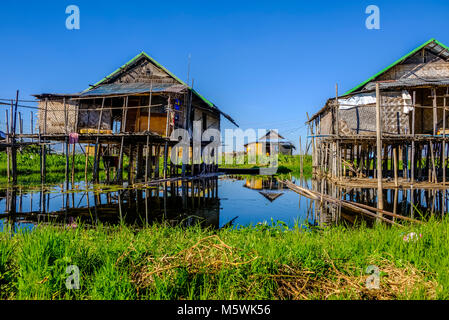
{"points": [[179, 202]]}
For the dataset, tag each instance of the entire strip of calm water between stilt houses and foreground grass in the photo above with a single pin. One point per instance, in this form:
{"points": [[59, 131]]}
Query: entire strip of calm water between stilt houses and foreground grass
{"points": [[228, 201]]}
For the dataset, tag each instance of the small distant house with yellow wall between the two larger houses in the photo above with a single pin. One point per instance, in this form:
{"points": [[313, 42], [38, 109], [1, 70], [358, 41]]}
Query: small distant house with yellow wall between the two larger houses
{"points": [[264, 145]]}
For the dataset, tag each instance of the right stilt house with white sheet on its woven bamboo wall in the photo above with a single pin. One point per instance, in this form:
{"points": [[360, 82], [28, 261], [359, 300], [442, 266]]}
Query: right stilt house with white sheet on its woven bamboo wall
{"points": [[393, 125]]}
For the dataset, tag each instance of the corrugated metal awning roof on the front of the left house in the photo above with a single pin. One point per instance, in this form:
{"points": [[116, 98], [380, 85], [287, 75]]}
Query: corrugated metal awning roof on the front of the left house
{"points": [[132, 88]]}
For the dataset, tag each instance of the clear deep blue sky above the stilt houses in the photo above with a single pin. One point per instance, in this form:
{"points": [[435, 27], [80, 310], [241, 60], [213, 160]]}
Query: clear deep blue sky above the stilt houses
{"points": [[266, 63]]}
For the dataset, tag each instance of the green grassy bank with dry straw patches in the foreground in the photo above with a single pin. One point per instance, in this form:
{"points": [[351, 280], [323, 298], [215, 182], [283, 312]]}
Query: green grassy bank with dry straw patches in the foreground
{"points": [[162, 262]]}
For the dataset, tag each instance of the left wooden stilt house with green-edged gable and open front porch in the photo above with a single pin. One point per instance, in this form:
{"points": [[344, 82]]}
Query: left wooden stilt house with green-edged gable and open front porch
{"points": [[132, 111]]}
